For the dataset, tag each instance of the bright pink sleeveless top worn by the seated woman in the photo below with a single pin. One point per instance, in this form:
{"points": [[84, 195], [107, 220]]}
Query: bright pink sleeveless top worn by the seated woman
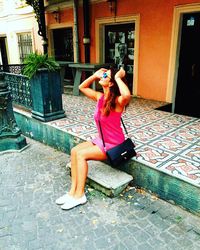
{"points": [[111, 127]]}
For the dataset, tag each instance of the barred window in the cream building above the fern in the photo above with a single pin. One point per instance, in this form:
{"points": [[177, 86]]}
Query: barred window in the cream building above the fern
{"points": [[25, 45]]}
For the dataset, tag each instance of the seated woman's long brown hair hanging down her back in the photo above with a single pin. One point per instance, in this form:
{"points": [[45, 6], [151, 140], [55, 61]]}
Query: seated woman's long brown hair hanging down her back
{"points": [[110, 102]]}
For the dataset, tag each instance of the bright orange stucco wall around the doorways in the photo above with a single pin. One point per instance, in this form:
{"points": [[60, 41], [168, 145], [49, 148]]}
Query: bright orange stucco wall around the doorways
{"points": [[155, 33]]}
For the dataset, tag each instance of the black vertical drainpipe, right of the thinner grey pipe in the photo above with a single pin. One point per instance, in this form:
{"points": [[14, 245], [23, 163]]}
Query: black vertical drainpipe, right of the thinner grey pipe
{"points": [[86, 38]]}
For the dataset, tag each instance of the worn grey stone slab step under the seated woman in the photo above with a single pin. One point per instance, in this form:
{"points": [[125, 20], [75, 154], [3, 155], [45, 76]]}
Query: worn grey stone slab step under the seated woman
{"points": [[106, 179]]}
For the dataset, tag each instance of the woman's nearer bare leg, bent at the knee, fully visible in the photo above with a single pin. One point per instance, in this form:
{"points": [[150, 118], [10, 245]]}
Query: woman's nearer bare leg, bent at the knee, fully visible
{"points": [[89, 151]]}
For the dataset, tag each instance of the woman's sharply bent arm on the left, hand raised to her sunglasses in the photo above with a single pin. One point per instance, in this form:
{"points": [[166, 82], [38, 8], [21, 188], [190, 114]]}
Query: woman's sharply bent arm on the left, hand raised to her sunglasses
{"points": [[84, 87]]}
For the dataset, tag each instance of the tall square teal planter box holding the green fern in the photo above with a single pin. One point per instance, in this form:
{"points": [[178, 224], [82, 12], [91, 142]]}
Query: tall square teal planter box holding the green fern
{"points": [[47, 96]]}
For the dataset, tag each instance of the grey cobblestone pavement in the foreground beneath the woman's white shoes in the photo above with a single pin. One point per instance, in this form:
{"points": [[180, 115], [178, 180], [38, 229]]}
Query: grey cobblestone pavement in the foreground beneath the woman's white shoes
{"points": [[30, 182]]}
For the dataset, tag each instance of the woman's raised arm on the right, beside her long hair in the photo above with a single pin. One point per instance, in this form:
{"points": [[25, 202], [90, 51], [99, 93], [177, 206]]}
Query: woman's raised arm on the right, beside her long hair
{"points": [[125, 94]]}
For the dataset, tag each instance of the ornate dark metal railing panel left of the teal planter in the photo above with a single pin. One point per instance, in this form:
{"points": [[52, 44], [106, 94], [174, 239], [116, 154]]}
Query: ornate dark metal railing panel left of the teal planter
{"points": [[20, 89]]}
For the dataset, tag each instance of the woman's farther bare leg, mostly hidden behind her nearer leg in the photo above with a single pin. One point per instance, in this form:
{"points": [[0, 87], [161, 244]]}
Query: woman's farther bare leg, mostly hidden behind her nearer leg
{"points": [[74, 163]]}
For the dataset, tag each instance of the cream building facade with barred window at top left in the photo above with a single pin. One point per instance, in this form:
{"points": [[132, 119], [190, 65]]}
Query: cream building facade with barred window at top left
{"points": [[18, 32]]}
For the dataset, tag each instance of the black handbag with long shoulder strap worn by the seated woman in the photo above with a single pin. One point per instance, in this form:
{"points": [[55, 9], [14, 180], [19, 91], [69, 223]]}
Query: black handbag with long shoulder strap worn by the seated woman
{"points": [[120, 153]]}
